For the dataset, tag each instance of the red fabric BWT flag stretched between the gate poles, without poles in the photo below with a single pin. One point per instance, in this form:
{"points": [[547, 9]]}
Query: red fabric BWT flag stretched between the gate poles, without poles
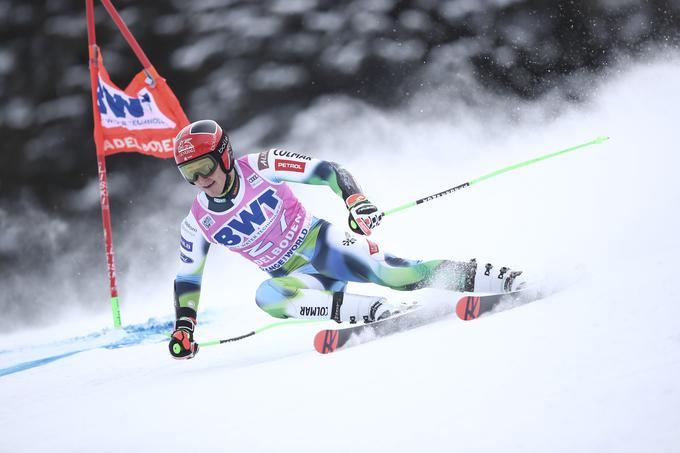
{"points": [[143, 118]]}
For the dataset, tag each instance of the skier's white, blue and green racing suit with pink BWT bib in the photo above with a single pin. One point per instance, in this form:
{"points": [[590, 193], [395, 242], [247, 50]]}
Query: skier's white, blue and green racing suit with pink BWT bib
{"points": [[309, 260]]}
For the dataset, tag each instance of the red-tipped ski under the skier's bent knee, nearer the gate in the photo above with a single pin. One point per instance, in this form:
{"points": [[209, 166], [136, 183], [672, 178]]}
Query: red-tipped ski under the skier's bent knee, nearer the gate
{"points": [[331, 340]]}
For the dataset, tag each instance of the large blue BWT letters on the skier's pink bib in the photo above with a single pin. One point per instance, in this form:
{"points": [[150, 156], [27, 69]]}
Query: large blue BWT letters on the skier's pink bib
{"points": [[244, 222]]}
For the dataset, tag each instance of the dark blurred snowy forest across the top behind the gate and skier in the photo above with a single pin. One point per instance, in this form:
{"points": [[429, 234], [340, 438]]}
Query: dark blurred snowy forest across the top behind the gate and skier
{"points": [[236, 60]]}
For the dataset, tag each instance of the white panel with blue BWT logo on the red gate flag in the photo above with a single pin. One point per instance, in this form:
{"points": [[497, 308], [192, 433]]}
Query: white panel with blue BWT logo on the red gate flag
{"points": [[118, 109]]}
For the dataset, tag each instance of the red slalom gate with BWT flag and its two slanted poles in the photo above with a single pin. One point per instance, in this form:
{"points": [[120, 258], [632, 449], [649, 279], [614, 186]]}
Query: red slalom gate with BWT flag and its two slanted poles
{"points": [[143, 118]]}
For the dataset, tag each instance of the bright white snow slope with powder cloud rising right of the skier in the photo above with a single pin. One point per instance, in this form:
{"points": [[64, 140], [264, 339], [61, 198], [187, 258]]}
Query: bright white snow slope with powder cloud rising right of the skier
{"points": [[594, 367]]}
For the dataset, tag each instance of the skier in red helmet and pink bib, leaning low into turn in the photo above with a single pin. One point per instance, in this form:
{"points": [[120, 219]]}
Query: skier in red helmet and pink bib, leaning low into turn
{"points": [[247, 206]]}
